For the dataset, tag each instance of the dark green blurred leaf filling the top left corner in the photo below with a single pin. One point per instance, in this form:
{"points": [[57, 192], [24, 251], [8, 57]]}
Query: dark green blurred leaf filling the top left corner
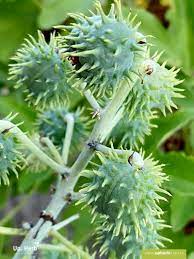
{"points": [[17, 19]]}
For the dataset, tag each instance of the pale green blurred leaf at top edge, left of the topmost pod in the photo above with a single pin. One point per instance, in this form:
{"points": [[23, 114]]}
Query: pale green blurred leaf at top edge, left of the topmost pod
{"points": [[54, 12]]}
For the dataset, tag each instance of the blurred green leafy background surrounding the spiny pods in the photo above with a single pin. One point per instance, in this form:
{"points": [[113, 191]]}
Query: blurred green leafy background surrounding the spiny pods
{"points": [[172, 24]]}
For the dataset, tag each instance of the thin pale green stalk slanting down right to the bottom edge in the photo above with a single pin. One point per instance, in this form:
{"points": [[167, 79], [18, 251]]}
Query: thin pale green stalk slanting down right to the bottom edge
{"points": [[70, 245]]}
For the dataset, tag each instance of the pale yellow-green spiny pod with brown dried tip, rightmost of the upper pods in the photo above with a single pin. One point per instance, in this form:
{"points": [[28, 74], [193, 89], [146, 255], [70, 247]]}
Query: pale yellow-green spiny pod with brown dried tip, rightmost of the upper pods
{"points": [[159, 84]]}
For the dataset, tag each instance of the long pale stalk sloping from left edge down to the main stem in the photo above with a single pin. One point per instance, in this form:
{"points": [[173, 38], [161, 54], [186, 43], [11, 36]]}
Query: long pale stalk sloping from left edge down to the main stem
{"points": [[12, 128]]}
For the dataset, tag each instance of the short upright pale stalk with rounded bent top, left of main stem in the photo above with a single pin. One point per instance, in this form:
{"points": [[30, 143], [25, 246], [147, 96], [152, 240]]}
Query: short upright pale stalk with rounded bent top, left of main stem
{"points": [[68, 136]]}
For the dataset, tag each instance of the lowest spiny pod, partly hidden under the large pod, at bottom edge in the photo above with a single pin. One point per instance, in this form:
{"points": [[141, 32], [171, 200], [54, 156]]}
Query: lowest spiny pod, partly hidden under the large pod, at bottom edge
{"points": [[131, 247]]}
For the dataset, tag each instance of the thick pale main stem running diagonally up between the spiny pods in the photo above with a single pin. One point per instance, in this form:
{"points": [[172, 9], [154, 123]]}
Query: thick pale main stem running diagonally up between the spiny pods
{"points": [[59, 201]]}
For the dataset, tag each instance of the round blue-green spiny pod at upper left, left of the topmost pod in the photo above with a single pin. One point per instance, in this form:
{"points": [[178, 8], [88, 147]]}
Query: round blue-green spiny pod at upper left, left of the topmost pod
{"points": [[41, 71]]}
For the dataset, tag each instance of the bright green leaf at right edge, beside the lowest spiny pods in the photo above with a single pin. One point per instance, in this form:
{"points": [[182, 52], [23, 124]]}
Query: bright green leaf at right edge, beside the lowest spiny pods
{"points": [[182, 211]]}
